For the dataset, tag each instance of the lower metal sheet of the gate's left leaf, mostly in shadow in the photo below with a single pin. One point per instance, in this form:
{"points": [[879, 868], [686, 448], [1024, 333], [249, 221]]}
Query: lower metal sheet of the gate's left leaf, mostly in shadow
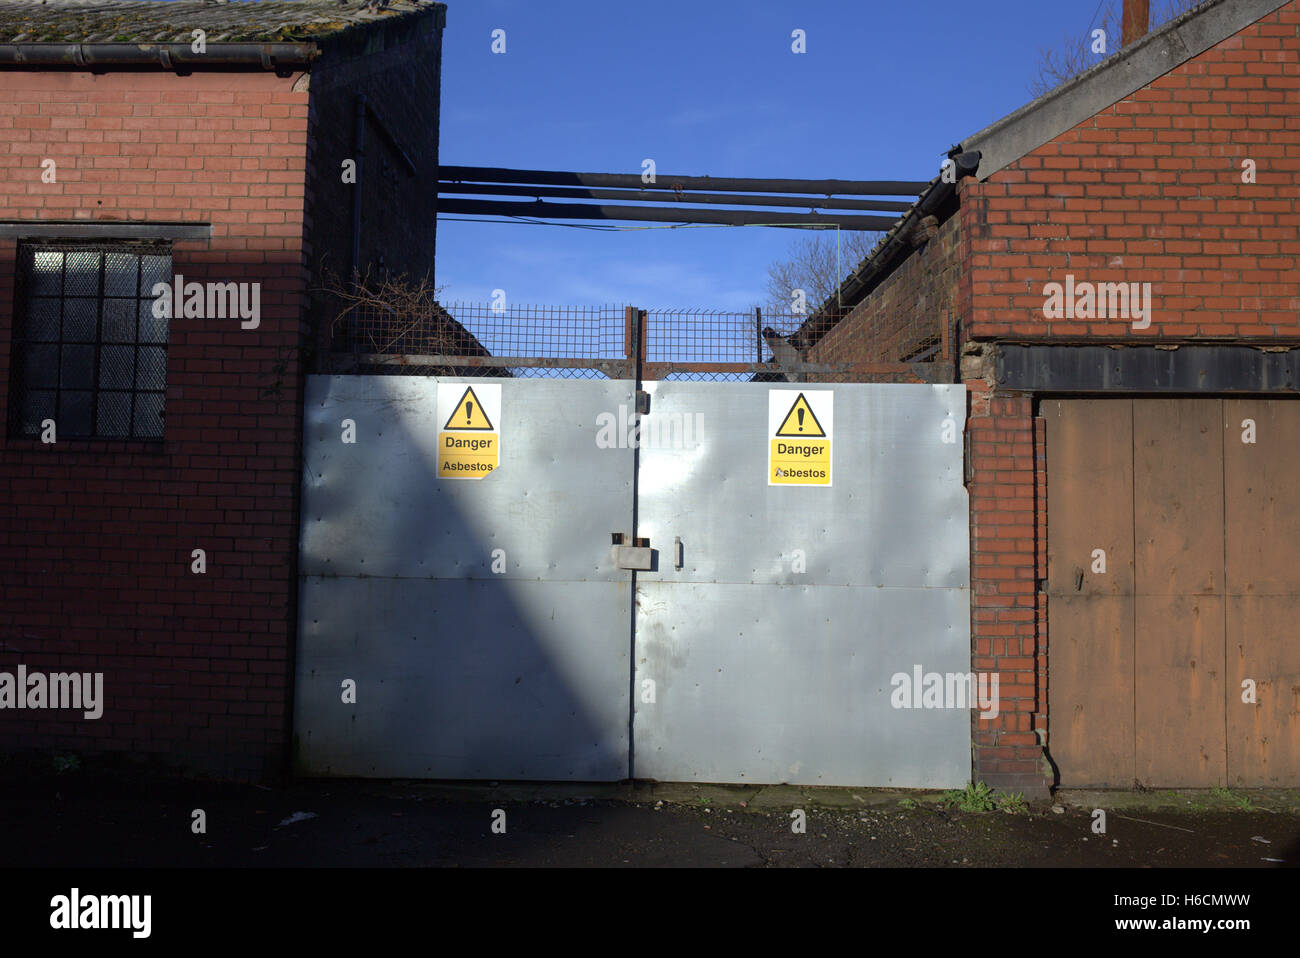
{"points": [[465, 679]]}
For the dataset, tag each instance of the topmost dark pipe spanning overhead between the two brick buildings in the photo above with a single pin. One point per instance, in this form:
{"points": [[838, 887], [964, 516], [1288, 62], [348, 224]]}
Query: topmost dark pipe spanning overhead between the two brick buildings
{"points": [[632, 181]]}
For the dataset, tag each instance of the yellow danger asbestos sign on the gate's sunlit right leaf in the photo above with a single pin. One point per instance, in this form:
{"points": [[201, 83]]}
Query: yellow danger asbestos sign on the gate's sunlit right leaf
{"points": [[800, 430]]}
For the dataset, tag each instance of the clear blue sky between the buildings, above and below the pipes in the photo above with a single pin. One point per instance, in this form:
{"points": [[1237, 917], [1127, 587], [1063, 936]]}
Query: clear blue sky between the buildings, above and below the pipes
{"points": [[710, 88]]}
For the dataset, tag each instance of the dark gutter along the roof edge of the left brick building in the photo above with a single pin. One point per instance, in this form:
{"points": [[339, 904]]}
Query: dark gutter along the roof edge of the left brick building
{"points": [[179, 58]]}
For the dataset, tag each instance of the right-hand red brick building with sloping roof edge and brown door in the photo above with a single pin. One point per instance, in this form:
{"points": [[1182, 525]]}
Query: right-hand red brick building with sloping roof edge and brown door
{"points": [[1132, 450]]}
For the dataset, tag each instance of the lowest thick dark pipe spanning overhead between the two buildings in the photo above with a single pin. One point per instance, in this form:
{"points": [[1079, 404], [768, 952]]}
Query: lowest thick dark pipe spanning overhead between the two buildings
{"points": [[729, 218]]}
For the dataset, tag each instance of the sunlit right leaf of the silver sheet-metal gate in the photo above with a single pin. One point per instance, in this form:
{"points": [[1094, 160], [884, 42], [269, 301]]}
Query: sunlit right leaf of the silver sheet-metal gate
{"points": [[792, 684]]}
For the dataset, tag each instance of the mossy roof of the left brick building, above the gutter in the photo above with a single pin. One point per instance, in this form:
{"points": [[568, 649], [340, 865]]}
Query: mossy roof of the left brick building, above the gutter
{"points": [[140, 21]]}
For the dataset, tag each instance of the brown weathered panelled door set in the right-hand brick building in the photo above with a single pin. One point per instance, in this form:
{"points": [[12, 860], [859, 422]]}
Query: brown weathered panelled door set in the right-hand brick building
{"points": [[1199, 531]]}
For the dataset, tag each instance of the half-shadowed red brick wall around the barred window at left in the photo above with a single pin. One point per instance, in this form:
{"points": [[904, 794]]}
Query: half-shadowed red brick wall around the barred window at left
{"points": [[96, 537]]}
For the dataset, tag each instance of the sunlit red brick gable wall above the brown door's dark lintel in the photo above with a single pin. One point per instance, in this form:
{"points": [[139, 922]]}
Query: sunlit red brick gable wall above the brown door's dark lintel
{"points": [[1150, 190]]}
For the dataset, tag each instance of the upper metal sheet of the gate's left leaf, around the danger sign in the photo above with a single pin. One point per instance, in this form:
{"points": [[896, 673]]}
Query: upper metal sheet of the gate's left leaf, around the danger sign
{"points": [[376, 508]]}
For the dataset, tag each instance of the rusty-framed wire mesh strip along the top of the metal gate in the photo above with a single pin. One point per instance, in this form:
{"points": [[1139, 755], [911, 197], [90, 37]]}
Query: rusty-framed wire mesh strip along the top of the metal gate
{"points": [[627, 343]]}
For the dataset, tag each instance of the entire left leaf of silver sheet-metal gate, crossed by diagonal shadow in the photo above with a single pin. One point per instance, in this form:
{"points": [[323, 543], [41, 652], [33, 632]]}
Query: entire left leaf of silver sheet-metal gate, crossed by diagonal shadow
{"points": [[463, 673]]}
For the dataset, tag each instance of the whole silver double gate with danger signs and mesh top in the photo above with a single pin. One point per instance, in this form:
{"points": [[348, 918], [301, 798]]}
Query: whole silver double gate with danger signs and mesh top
{"points": [[619, 544]]}
